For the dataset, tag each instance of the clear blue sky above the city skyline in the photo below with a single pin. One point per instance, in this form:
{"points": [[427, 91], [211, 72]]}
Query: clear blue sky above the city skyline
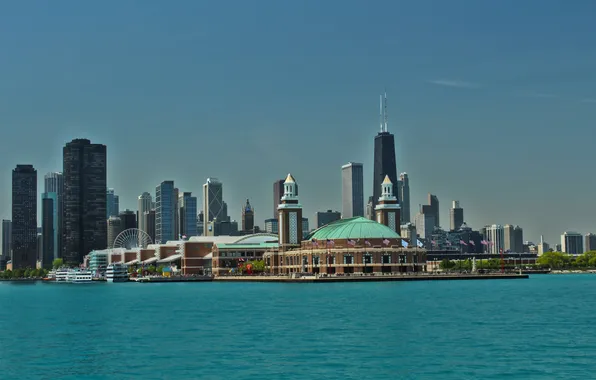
{"points": [[492, 103]]}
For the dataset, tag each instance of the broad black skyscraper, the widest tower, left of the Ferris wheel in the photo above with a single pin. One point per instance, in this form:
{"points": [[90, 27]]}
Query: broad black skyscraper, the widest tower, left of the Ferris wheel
{"points": [[85, 227]]}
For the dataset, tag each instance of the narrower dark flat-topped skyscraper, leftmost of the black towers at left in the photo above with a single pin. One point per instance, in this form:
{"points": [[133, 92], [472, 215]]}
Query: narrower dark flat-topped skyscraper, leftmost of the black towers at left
{"points": [[24, 217]]}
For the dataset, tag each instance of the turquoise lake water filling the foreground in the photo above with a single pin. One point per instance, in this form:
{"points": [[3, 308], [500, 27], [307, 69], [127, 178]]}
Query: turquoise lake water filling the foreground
{"points": [[539, 328]]}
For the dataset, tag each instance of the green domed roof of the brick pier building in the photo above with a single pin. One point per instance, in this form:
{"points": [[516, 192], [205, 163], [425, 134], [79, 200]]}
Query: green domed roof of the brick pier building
{"points": [[353, 228]]}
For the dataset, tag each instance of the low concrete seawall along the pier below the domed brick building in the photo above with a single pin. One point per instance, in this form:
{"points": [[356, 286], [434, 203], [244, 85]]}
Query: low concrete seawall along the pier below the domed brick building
{"points": [[371, 278]]}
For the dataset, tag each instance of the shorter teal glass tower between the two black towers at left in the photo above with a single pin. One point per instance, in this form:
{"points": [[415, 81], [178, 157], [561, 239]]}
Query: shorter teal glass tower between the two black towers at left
{"points": [[49, 227]]}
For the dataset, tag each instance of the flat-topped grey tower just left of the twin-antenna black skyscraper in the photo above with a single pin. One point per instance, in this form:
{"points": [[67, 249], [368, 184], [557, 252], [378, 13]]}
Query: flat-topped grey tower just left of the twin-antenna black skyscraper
{"points": [[352, 190]]}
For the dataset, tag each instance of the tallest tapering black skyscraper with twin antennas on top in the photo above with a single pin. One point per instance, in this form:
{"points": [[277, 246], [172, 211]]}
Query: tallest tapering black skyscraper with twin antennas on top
{"points": [[384, 156]]}
